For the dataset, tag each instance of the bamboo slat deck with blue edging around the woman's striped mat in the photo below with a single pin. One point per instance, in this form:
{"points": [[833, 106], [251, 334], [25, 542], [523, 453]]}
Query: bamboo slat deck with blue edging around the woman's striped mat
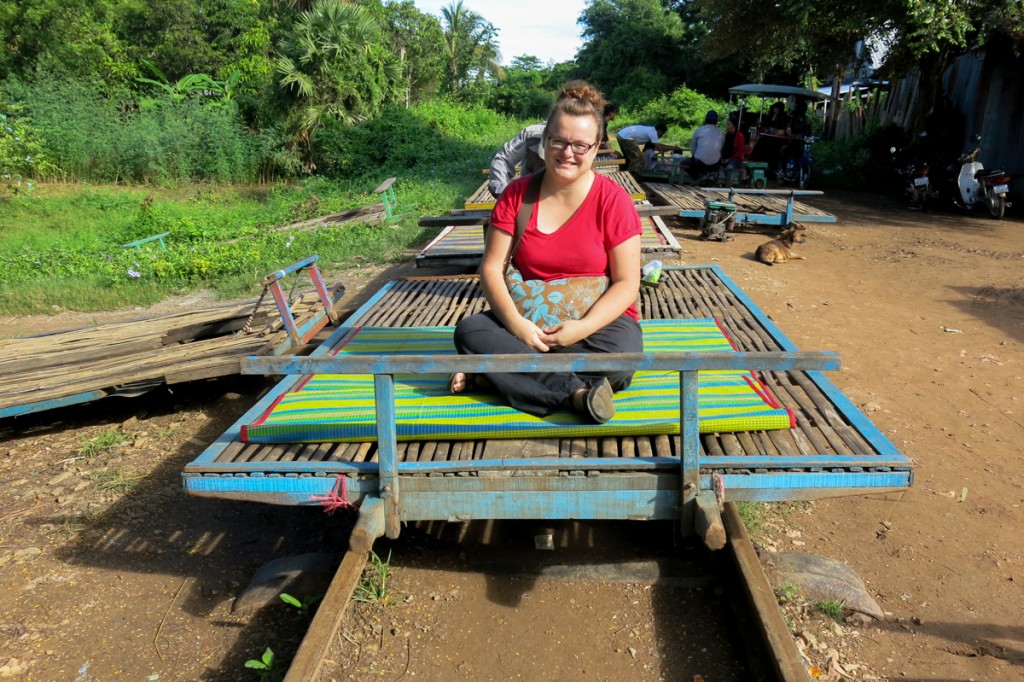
{"points": [[833, 451]]}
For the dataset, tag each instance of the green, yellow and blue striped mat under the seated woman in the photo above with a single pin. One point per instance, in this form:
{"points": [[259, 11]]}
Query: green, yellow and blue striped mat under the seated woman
{"points": [[332, 408]]}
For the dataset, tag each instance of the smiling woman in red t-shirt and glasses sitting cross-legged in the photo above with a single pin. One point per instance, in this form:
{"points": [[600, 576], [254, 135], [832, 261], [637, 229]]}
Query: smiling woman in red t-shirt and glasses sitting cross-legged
{"points": [[581, 234]]}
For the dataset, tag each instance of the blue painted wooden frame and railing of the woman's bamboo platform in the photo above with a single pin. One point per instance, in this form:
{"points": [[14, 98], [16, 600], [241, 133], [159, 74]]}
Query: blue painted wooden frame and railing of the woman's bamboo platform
{"points": [[592, 488]]}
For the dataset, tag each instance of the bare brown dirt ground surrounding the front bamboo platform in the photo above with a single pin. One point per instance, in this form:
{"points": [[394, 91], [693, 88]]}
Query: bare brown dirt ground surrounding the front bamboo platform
{"points": [[109, 572]]}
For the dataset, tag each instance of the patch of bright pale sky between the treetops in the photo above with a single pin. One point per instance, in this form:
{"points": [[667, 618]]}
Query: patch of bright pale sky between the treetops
{"points": [[545, 29]]}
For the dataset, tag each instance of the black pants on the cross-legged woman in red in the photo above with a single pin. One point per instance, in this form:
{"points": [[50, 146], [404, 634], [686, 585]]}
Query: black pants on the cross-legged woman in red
{"points": [[546, 393]]}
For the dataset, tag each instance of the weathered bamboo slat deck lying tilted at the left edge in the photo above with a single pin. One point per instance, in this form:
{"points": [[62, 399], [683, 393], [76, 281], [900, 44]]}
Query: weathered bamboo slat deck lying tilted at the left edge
{"points": [[129, 358]]}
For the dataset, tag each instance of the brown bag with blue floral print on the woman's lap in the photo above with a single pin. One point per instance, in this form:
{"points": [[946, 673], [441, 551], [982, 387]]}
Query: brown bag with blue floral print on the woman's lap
{"points": [[548, 304]]}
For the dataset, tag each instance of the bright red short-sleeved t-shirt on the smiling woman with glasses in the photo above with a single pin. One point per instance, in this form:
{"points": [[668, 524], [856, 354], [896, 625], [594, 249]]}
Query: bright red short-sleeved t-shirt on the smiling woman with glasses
{"points": [[580, 248]]}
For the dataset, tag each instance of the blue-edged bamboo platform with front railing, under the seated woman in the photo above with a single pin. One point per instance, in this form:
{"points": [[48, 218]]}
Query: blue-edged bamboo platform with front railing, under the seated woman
{"points": [[832, 451]]}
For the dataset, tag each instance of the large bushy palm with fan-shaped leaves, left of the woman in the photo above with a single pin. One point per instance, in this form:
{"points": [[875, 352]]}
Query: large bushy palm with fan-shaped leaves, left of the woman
{"points": [[335, 64]]}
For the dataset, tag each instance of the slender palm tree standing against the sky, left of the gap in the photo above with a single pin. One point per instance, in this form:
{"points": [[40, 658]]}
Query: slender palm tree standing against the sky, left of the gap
{"points": [[470, 47]]}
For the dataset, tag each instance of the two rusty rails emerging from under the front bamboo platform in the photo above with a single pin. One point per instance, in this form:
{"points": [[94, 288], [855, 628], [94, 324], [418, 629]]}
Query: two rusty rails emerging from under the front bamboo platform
{"points": [[753, 631]]}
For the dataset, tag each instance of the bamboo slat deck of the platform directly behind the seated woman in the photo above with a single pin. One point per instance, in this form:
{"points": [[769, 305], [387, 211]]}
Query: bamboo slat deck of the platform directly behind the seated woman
{"points": [[462, 246]]}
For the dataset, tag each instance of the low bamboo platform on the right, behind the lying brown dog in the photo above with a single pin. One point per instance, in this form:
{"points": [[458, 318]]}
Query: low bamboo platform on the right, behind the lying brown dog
{"points": [[765, 207]]}
